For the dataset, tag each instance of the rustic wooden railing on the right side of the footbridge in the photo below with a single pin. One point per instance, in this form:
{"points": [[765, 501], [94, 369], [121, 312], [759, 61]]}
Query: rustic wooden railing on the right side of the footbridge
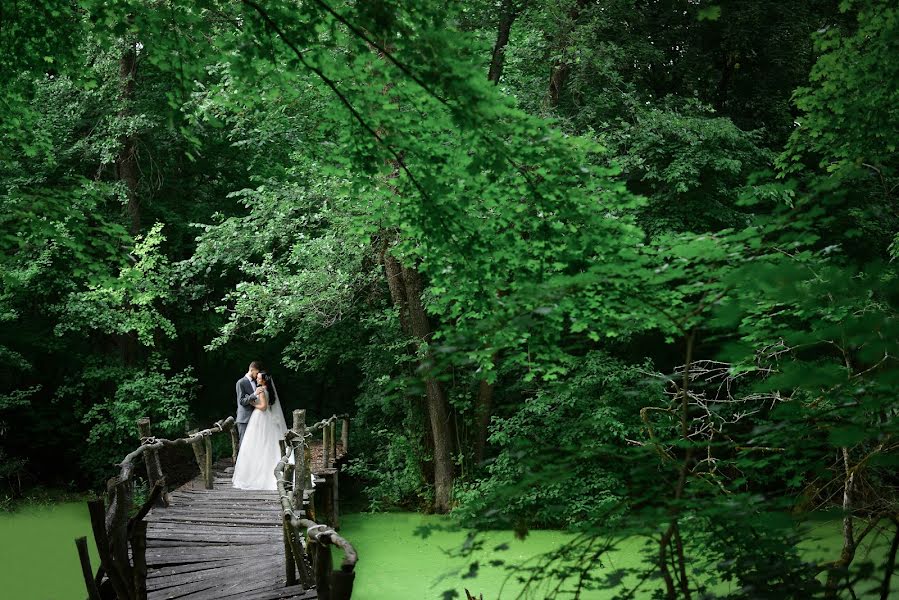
{"points": [[305, 541]]}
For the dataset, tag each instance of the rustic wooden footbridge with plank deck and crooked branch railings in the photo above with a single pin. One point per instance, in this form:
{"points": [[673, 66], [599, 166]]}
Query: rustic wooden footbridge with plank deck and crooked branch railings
{"points": [[208, 541]]}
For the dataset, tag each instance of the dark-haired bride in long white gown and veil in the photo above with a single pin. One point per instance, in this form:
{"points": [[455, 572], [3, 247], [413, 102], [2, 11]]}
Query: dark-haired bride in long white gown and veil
{"points": [[259, 450]]}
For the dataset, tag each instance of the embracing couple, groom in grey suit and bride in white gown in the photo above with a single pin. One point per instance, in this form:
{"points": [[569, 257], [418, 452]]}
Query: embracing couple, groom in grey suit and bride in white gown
{"points": [[260, 426]]}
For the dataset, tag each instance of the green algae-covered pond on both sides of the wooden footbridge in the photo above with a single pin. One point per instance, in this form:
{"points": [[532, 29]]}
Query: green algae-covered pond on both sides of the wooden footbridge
{"points": [[38, 560]]}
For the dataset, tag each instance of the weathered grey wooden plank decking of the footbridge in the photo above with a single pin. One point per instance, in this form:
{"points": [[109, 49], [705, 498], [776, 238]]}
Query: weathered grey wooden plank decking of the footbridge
{"points": [[216, 544]]}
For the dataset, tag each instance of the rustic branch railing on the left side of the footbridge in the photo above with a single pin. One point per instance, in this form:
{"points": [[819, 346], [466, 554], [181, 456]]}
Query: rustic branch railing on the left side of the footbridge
{"points": [[122, 541]]}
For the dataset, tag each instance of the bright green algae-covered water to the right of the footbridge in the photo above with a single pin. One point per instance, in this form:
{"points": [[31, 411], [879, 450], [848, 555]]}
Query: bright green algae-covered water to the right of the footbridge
{"points": [[395, 563]]}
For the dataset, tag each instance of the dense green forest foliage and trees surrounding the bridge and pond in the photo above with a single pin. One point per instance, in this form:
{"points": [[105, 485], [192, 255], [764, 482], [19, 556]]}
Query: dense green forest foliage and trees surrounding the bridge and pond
{"points": [[618, 267]]}
